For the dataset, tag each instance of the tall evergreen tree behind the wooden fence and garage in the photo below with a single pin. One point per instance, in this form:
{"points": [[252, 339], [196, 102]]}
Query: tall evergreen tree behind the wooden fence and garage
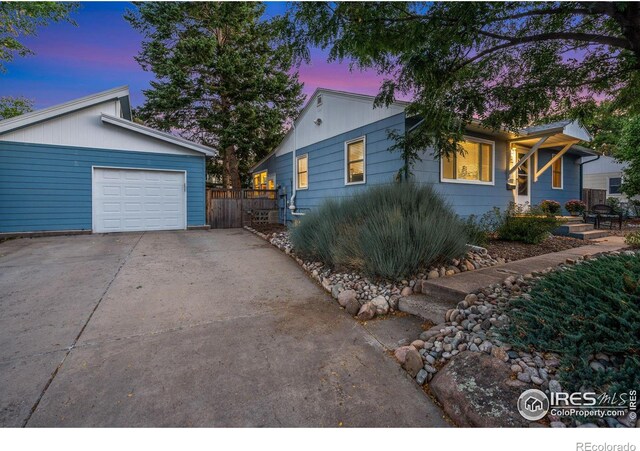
{"points": [[221, 78]]}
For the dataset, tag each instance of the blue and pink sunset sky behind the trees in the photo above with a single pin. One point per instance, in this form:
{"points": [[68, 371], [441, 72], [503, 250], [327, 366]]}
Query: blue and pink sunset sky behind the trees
{"points": [[98, 54]]}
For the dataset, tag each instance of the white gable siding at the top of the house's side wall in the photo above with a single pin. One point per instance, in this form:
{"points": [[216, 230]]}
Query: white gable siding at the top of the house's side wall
{"points": [[339, 113]]}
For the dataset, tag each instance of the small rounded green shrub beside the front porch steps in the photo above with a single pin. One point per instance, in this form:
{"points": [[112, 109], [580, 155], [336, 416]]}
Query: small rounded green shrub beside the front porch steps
{"points": [[530, 227]]}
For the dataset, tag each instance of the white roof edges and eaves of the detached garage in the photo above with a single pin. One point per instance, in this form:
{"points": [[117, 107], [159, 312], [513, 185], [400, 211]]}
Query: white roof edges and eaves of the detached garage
{"points": [[120, 94]]}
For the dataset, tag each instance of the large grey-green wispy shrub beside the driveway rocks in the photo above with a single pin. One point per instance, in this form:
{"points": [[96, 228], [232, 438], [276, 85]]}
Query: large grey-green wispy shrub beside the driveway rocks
{"points": [[388, 231]]}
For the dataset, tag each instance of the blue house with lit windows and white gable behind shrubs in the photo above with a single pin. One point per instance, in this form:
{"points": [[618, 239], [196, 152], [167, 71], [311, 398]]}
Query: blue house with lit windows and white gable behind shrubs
{"points": [[339, 145]]}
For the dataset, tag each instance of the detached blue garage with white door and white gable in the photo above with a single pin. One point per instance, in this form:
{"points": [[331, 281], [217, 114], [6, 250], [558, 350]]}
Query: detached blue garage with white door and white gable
{"points": [[85, 166]]}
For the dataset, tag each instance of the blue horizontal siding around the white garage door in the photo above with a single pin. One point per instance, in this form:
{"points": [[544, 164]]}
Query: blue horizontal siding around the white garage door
{"points": [[45, 187]]}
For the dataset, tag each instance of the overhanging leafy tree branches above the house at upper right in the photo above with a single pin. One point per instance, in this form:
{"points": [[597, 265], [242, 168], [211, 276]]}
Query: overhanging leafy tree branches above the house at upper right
{"points": [[505, 64]]}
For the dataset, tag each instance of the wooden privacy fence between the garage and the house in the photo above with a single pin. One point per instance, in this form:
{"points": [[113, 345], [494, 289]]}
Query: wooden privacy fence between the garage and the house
{"points": [[229, 208]]}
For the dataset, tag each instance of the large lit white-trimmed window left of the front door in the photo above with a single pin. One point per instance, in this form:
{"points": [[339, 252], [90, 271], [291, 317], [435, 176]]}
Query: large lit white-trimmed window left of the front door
{"points": [[476, 165]]}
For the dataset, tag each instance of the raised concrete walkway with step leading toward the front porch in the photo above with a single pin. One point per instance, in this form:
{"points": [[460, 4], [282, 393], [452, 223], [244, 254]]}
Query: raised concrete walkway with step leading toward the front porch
{"points": [[444, 293]]}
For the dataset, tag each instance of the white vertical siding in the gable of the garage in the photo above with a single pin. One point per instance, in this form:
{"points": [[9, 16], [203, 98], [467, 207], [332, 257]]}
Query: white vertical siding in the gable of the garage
{"points": [[84, 128]]}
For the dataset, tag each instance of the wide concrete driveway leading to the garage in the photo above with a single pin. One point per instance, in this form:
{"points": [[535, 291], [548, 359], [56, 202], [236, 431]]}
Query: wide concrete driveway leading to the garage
{"points": [[199, 328]]}
